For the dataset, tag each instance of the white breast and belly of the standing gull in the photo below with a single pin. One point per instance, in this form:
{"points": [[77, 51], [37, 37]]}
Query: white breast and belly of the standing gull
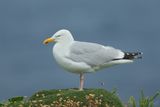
{"points": [[60, 54]]}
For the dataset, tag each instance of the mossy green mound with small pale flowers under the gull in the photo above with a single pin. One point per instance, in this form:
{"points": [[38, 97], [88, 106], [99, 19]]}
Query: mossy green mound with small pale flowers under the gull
{"points": [[67, 98]]}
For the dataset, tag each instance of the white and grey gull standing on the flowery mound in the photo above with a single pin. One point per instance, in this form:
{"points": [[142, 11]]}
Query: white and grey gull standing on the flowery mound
{"points": [[85, 57]]}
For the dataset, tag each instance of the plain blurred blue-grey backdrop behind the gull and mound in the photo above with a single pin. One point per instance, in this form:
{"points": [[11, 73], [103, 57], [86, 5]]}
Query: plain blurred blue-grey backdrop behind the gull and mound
{"points": [[27, 66]]}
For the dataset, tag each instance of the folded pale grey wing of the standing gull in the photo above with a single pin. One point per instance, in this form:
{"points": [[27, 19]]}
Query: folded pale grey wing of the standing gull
{"points": [[93, 54]]}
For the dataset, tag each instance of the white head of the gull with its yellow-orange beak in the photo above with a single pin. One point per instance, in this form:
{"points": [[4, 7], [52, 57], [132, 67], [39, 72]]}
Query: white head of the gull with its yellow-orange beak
{"points": [[61, 36]]}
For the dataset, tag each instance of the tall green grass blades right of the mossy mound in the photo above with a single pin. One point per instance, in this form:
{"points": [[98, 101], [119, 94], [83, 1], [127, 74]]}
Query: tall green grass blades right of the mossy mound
{"points": [[143, 101]]}
